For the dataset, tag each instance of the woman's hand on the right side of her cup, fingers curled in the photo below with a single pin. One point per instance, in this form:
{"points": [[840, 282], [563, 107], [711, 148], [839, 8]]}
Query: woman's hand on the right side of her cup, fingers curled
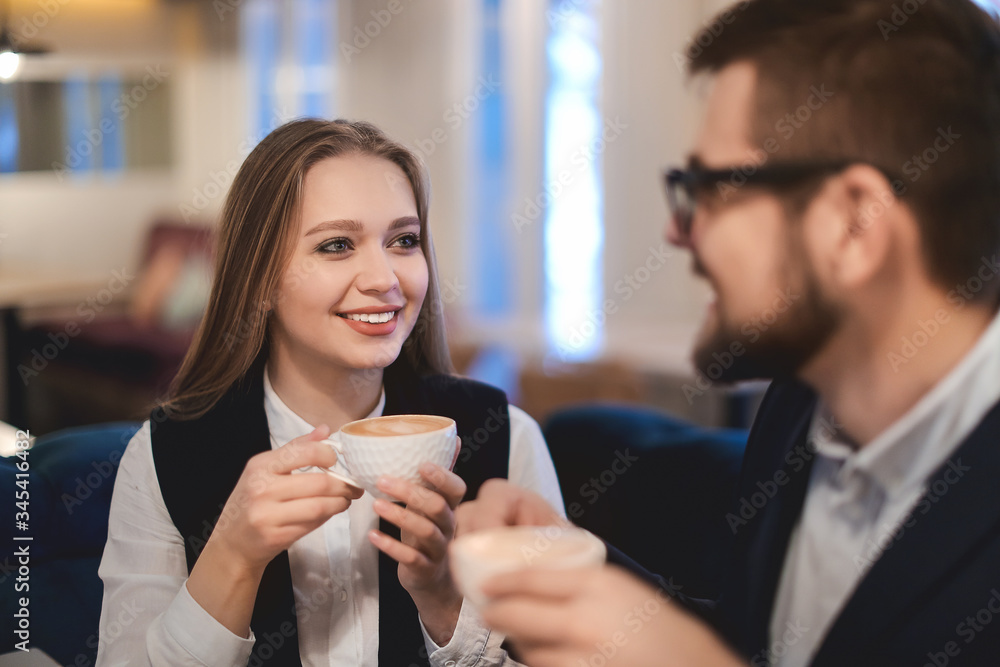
{"points": [[427, 525]]}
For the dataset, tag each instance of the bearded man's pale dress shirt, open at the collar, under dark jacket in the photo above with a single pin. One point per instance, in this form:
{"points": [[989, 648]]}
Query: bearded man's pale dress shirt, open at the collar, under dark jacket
{"points": [[861, 501]]}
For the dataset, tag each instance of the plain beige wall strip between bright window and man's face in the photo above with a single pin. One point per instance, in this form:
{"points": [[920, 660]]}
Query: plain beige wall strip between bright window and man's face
{"points": [[645, 86]]}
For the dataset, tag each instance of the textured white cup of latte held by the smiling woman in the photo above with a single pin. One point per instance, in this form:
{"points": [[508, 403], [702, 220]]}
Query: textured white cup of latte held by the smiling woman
{"points": [[394, 445]]}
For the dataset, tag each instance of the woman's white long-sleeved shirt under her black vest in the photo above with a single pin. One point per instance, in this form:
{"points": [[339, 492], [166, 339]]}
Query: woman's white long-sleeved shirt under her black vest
{"points": [[149, 618]]}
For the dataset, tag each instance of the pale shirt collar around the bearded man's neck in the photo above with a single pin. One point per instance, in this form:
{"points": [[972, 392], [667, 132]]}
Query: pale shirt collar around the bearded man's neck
{"points": [[911, 448]]}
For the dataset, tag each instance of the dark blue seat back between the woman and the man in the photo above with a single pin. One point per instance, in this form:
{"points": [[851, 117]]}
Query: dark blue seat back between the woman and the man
{"points": [[656, 487]]}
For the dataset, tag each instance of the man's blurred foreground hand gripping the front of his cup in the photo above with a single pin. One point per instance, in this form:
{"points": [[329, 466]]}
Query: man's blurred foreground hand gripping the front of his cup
{"points": [[598, 616]]}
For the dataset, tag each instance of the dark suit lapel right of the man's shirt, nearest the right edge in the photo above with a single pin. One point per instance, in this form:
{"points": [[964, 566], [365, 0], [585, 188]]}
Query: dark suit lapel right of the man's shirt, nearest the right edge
{"points": [[959, 508]]}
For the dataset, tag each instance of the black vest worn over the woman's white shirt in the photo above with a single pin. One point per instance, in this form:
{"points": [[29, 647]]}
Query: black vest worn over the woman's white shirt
{"points": [[198, 463]]}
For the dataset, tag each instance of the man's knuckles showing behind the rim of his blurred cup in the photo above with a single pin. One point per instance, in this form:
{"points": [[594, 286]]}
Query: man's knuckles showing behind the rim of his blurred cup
{"points": [[501, 503]]}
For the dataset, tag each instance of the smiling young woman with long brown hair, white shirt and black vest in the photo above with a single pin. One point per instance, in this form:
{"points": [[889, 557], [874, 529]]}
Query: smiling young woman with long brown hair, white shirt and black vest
{"points": [[225, 546]]}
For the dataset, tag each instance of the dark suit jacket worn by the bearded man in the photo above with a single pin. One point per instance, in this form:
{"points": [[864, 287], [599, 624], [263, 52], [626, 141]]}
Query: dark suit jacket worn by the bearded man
{"points": [[931, 597]]}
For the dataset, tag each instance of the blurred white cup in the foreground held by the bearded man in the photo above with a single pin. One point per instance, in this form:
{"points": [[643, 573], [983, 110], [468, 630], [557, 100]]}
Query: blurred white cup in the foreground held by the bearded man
{"points": [[476, 557]]}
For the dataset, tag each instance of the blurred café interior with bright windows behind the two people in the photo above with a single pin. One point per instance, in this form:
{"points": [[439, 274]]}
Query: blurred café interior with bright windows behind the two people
{"points": [[545, 127]]}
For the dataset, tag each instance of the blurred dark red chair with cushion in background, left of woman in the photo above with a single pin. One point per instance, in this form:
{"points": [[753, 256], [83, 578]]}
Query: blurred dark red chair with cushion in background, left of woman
{"points": [[125, 352]]}
